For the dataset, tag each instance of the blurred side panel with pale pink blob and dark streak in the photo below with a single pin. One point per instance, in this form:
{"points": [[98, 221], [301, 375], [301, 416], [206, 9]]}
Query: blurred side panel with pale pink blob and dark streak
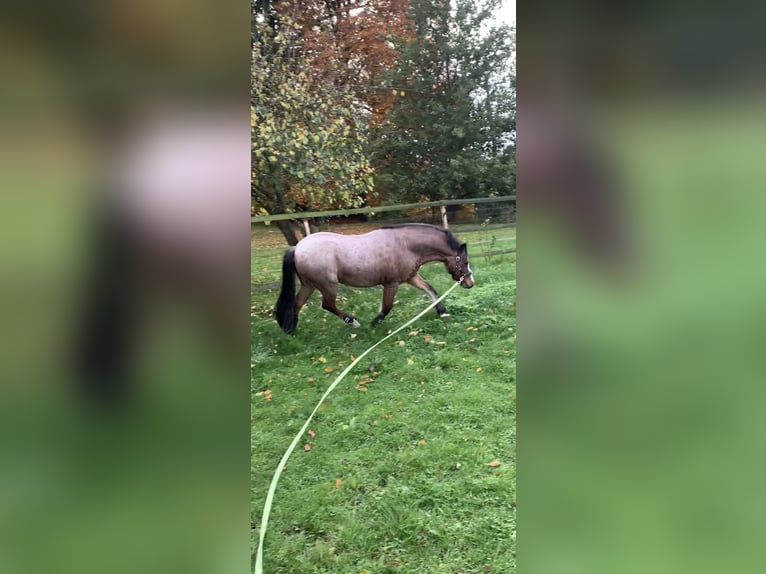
{"points": [[124, 266]]}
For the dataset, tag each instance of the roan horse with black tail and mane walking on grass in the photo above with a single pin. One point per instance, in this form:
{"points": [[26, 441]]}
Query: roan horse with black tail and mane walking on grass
{"points": [[388, 256]]}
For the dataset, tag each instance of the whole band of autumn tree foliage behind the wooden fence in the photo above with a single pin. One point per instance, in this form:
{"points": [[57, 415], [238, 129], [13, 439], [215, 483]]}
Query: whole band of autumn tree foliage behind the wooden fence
{"points": [[419, 94]]}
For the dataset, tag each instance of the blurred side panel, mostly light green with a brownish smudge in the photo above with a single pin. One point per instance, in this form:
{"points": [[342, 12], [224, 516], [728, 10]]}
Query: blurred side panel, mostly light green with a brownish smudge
{"points": [[642, 315]]}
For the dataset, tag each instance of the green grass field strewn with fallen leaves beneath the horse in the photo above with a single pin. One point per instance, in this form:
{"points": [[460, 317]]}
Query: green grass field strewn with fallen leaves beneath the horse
{"points": [[397, 477]]}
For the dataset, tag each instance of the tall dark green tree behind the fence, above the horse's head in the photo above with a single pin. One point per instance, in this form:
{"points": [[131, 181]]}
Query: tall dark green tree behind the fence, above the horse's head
{"points": [[451, 130]]}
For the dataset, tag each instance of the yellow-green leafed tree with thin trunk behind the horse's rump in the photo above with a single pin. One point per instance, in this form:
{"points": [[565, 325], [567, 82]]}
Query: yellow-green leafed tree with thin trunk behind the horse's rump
{"points": [[308, 136]]}
